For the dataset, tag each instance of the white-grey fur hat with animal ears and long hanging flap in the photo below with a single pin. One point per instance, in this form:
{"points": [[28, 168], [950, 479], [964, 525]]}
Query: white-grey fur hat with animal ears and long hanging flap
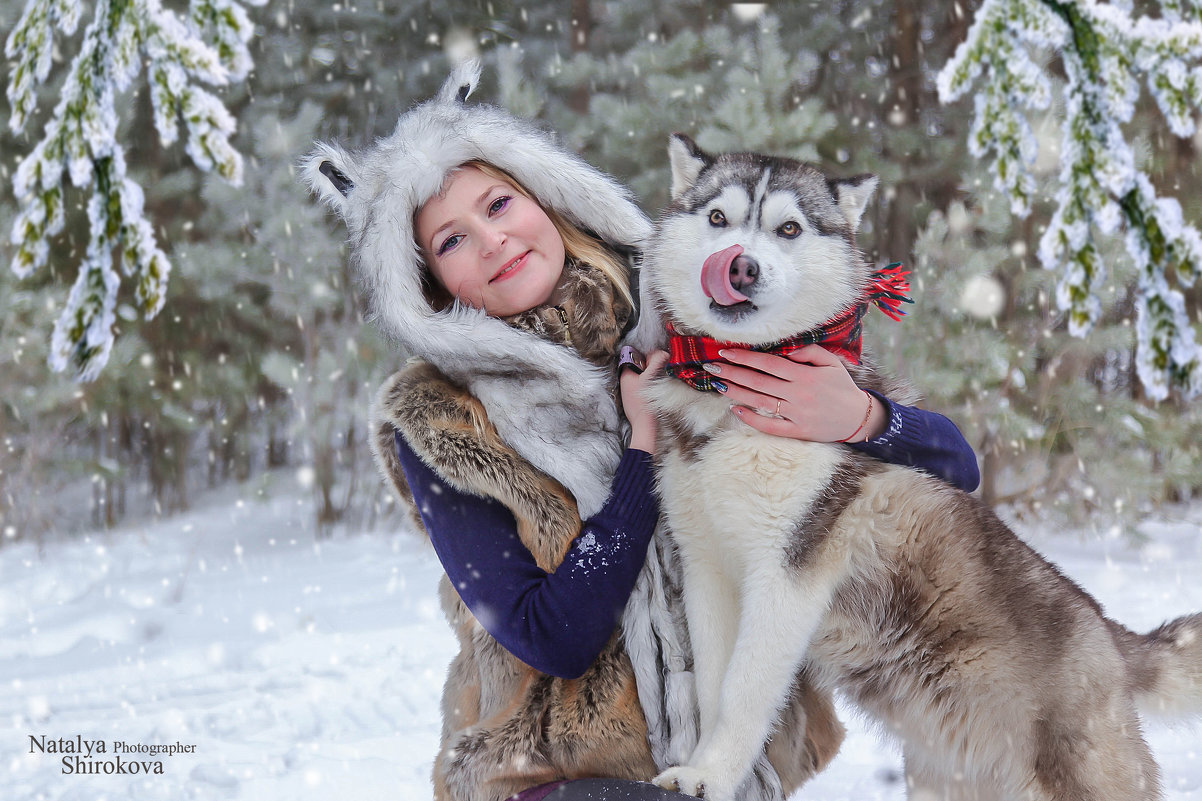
{"points": [[378, 191]]}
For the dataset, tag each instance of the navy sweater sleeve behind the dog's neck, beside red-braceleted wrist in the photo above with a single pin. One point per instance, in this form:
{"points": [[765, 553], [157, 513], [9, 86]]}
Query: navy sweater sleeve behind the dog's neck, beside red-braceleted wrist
{"points": [[926, 441]]}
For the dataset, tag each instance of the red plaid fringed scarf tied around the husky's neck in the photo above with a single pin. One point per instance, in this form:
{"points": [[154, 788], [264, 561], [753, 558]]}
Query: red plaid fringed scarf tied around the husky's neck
{"points": [[842, 336]]}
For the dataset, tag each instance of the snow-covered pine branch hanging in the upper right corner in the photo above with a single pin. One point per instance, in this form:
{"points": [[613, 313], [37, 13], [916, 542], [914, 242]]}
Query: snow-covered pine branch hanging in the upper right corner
{"points": [[1106, 55]]}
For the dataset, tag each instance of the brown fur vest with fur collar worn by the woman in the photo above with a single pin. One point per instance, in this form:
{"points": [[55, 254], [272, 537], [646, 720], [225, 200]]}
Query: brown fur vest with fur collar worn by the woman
{"points": [[507, 727]]}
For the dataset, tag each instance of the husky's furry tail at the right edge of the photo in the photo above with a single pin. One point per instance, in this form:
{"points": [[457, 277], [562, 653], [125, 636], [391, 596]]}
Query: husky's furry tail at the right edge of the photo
{"points": [[1165, 667]]}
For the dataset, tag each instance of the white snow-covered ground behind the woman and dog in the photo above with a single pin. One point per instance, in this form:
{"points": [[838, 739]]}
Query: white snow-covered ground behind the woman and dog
{"points": [[299, 668]]}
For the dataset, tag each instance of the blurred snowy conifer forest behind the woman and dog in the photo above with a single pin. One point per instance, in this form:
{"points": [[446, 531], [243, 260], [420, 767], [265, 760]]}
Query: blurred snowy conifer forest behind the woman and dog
{"points": [[260, 367]]}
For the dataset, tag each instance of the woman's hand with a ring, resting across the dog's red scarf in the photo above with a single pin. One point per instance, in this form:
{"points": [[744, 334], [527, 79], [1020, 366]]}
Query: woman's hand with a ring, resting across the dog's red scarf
{"points": [[808, 395]]}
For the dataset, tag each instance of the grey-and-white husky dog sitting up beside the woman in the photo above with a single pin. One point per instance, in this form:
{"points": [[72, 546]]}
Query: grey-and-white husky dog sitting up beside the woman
{"points": [[1002, 678]]}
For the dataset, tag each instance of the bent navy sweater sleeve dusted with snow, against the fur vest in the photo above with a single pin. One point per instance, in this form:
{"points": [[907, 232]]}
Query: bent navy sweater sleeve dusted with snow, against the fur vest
{"points": [[556, 622]]}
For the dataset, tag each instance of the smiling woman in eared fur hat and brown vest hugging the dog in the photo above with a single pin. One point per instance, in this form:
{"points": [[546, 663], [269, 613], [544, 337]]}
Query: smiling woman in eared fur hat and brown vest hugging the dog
{"points": [[502, 262]]}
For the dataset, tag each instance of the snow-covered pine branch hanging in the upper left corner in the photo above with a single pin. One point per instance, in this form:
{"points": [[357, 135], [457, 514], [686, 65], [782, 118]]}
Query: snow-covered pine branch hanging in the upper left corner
{"points": [[211, 48]]}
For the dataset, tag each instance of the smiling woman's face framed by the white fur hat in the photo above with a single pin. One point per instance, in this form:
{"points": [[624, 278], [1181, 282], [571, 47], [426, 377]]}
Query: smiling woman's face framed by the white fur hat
{"points": [[491, 246]]}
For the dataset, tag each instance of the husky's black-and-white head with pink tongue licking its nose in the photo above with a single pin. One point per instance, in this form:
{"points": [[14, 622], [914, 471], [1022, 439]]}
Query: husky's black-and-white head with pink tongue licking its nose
{"points": [[755, 248]]}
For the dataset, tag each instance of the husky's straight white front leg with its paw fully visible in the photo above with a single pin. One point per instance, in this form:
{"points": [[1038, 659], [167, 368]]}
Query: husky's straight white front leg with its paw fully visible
{"points": [[779, 618]]}
